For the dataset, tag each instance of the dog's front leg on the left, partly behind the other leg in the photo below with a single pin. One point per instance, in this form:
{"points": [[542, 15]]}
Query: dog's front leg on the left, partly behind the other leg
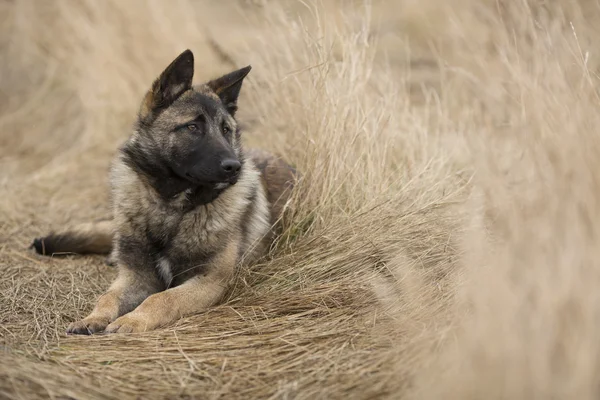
{"points": [[126, 292]]}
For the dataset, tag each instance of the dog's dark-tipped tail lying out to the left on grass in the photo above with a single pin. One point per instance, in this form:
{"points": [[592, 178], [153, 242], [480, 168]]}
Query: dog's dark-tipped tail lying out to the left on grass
{"points": [[91, 237]]}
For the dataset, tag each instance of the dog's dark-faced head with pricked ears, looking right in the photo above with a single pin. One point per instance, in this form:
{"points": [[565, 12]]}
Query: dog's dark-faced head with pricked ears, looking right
{"points": [[186, 136]]}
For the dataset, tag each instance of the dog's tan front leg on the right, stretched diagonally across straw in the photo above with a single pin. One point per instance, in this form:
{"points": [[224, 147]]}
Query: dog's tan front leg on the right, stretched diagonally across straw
{"points": [[189, 298]]}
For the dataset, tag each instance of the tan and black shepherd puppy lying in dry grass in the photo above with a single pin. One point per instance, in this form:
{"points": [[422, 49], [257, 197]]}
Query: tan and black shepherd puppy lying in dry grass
{"points": [[188, 205]]}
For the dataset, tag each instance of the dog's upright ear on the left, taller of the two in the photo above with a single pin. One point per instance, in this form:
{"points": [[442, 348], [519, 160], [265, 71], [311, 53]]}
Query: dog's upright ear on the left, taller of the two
{"points": [[175, 79]]}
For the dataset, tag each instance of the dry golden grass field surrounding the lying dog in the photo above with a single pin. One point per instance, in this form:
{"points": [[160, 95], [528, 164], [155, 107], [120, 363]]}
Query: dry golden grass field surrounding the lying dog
{"points": [[443, 243]]}
